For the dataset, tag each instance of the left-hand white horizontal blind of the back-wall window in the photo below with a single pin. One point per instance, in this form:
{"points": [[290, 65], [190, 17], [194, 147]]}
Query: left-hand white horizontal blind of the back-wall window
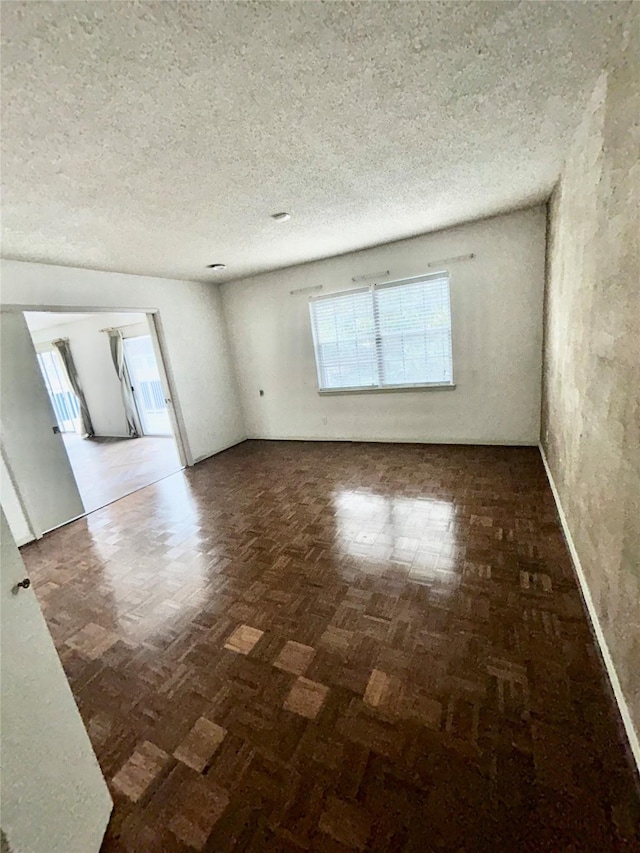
{"points": [[344, 339]]}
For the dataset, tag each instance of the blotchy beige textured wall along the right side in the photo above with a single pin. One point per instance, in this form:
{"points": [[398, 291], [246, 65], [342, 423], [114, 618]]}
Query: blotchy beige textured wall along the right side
{"points": [[591, 394]]}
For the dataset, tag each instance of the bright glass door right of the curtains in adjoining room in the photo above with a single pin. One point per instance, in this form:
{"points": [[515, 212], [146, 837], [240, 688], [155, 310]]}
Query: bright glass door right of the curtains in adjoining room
{"points": [[147, 385]]}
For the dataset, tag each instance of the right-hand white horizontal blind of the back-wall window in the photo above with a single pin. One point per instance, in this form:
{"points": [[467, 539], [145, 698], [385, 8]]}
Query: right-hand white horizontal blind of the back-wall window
{"points": [[414, 332]]}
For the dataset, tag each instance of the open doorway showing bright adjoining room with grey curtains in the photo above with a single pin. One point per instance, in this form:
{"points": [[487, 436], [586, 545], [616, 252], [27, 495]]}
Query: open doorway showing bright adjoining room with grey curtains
{"points": [[85, 389]]}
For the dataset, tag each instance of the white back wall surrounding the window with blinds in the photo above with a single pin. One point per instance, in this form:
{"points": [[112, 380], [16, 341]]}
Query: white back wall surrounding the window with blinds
{"points": [[497, 341]]}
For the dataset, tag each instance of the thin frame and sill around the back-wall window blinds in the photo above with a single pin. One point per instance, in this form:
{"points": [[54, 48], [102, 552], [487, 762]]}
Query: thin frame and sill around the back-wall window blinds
{"points": [[380, 388]]}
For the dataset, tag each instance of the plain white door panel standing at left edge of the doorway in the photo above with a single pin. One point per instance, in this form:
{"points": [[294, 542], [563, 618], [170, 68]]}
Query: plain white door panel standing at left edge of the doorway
{"points": [[37, 457]]}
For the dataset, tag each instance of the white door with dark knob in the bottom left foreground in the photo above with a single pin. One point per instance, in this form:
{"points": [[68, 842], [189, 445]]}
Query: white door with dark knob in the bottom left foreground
{"points": [[53, 796]]}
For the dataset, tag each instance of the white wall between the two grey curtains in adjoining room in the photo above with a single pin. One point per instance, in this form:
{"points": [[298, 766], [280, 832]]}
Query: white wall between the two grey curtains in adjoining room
{"points": [[92, 357]]}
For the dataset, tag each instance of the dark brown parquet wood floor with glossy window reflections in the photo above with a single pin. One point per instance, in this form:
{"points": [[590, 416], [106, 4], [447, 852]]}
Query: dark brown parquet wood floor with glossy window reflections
{"points": [[337, 647]]}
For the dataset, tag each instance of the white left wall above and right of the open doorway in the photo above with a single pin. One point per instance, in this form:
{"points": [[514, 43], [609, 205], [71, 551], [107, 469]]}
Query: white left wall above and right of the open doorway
{"points": [[192, 326]]}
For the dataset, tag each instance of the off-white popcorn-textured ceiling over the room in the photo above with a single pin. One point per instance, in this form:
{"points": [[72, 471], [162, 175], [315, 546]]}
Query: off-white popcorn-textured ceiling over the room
{"points": [[156, 138]]}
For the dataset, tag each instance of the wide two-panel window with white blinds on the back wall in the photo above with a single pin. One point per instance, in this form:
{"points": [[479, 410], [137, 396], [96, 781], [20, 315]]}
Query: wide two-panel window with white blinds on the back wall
{"points": [[395, 335]]}
